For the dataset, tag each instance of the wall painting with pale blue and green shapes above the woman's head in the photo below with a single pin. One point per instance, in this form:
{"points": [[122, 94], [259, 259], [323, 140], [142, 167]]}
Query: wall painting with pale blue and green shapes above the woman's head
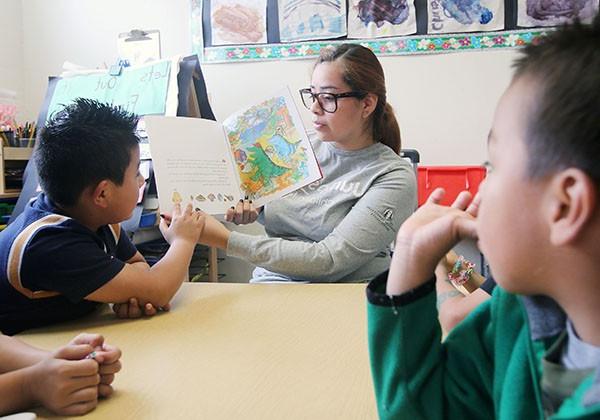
{"points": [[301, 20]]}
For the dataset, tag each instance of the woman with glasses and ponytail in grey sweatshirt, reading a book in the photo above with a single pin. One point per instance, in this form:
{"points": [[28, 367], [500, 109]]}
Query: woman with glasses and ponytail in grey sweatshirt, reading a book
{"points": [[338, 229]]}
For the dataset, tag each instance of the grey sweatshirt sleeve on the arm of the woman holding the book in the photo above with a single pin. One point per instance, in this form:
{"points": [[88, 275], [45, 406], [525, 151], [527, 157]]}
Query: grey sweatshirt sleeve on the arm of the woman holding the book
{"points": [[365, 231]]}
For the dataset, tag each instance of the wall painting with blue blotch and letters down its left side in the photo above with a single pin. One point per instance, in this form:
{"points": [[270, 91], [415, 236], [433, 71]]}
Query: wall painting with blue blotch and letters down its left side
{"points": [[465, 15]]}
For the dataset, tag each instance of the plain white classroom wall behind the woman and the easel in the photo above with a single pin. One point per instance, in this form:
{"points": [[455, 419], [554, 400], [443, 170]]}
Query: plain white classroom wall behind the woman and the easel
{"points": [[444, 102]]}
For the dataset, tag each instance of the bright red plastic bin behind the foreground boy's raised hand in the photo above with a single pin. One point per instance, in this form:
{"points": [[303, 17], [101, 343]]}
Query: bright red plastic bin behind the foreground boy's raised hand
{"points": [[453, 179]]}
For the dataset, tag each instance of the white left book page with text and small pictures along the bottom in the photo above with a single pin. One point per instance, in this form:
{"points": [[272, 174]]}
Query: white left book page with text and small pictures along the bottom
{"points": [[192, 164]]}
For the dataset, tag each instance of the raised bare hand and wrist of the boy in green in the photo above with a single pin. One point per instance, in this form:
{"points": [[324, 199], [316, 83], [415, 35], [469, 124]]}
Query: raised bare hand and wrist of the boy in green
{"points": [[424, 239]]}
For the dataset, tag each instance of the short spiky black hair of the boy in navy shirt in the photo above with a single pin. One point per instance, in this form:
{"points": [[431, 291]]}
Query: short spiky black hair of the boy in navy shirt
{"points": [[83, 144]]}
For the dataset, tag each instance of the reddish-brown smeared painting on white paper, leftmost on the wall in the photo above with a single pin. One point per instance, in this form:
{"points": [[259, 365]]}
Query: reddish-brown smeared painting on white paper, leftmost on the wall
{"points": [[238, 22]]}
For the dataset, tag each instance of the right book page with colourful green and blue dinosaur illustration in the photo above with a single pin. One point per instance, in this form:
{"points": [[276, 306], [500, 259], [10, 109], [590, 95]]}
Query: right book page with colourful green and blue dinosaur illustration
{"points": [[271, 151]]}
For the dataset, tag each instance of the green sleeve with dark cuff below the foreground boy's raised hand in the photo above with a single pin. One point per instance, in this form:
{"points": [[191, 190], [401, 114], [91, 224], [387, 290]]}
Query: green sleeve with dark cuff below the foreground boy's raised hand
{"points": [[415, 374]]}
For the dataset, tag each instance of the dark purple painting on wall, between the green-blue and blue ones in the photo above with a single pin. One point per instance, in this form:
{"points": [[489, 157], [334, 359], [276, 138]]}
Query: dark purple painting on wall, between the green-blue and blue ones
{"points": [[381, 18]]}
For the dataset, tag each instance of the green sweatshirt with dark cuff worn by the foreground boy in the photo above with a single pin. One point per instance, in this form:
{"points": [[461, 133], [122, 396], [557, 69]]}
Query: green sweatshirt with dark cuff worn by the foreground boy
{"points": [[488, 367]]}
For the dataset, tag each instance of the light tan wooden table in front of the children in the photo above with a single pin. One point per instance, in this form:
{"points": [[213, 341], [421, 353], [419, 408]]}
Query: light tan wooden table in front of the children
{"points": [[238, 351]]}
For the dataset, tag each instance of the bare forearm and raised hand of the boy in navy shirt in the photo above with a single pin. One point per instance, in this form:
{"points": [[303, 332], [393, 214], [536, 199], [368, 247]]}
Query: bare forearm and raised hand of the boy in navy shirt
{"points": [[157, 284]]}
